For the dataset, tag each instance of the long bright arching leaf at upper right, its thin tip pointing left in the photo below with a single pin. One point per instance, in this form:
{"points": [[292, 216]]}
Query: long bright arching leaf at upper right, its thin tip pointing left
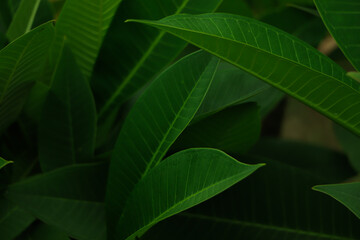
{"points": [[276, 57]]}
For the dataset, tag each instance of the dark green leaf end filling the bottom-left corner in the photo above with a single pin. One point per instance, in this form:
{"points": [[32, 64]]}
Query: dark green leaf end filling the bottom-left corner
{"points": [[13, 220]]}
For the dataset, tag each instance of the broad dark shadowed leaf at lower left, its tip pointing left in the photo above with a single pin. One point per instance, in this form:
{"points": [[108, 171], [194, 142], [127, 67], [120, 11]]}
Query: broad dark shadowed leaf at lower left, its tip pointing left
{"points": [[76, 193]]}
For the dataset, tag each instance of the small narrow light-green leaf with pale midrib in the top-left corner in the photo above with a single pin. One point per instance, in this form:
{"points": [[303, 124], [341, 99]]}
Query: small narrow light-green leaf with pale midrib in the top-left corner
{"points": [[23, 19]]}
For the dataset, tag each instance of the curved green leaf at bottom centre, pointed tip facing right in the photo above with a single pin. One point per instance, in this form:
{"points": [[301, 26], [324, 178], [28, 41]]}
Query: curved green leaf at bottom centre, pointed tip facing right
{"points": [[178, 183]]}
